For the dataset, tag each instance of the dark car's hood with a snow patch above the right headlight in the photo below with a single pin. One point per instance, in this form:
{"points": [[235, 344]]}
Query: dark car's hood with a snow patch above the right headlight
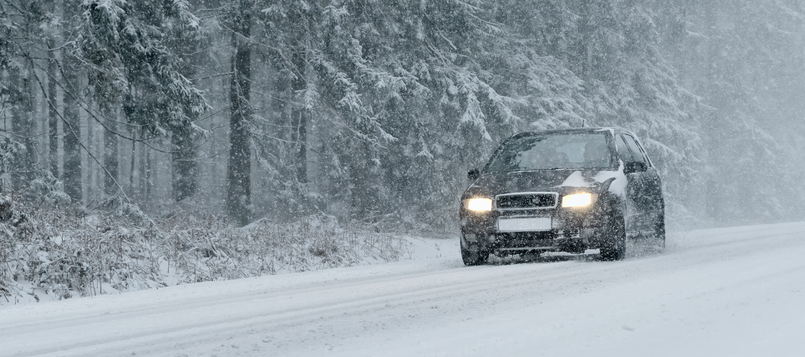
{"points": [[561, 181]]}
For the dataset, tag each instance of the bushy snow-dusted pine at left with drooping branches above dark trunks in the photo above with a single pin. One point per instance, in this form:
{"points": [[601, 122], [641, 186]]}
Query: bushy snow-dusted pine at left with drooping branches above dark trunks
{"points": [[129, 44]]}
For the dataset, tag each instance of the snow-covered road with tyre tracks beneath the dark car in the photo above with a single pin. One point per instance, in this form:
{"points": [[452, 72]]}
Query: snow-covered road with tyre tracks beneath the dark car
{"points": [[723, 292]]}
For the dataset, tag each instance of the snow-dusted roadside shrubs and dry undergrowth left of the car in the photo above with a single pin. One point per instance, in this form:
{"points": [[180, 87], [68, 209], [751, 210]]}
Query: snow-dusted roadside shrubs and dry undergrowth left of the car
{"points": [[61, 253]]}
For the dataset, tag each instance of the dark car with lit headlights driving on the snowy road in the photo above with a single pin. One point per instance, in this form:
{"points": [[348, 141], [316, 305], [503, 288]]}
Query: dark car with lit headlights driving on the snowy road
{"points": [[562, 190]]}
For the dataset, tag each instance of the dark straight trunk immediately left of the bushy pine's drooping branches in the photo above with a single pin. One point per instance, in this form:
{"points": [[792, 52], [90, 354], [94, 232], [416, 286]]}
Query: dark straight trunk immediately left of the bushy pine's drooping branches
{"points": [[72, 119]]}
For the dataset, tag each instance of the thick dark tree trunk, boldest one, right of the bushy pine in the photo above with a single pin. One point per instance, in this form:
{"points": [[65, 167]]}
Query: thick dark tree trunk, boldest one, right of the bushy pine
{"points": [[239, 169]]}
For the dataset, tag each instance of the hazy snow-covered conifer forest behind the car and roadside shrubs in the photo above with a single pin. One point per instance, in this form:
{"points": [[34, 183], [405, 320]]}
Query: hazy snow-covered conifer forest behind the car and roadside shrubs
{"points": [[373, 111]]}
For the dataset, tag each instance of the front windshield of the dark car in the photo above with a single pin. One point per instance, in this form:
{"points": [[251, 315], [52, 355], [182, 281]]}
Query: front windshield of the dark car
{"points": [[554, 151]]}
